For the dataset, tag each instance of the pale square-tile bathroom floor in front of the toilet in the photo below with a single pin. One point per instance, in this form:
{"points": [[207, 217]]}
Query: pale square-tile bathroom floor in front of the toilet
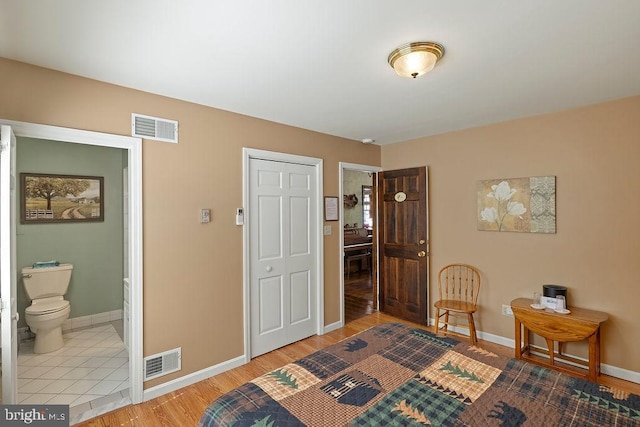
{"points": [[90, 373]]}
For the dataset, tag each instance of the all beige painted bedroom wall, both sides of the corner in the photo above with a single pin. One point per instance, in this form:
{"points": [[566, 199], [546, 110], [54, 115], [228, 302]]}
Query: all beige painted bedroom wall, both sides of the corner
{"points": [[193, 272]]}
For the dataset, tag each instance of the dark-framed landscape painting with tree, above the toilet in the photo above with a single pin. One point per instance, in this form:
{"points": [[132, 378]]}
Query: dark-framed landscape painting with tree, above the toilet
{"points": [[51, 198]]}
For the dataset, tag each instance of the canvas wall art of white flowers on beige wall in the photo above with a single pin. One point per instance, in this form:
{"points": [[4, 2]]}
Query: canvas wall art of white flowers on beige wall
{"points": [[525, 205]]}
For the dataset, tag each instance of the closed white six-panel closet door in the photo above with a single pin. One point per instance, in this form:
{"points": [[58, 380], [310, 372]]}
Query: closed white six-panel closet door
{"points": [[283, 270]]}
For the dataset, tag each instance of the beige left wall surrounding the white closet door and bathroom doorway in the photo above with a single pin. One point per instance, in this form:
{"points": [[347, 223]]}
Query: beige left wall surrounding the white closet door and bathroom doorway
{"points": [[192, 272]]}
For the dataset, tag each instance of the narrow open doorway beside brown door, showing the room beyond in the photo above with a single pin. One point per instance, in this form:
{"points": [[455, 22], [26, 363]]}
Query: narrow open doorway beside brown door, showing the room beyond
{"points": [[358, 227]]}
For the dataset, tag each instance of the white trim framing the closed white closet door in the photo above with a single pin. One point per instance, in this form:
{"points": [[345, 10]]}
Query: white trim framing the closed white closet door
{"points": [[253, 153]]}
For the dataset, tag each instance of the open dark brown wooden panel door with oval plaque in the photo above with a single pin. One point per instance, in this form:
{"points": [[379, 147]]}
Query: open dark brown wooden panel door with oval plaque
{"points": [[403, 242]]}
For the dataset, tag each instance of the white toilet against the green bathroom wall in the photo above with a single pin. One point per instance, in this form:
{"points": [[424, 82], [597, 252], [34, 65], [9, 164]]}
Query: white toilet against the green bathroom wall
{"points": [[45, 288]]}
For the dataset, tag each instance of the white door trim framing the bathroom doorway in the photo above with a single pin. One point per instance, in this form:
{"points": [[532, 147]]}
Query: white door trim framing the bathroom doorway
{"points": [[134, 156]]}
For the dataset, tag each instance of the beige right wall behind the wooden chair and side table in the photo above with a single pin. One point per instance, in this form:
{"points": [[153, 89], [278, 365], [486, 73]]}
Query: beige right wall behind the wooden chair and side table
{"points": [[595, 154]]}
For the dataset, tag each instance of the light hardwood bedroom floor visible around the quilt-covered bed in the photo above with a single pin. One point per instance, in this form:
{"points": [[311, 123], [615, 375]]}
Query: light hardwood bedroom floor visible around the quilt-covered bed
{"points": [[185, 406]]}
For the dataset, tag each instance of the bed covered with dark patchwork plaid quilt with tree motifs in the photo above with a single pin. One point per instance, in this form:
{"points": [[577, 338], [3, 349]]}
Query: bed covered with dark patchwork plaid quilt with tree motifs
{"points": [[395, 374]]}
